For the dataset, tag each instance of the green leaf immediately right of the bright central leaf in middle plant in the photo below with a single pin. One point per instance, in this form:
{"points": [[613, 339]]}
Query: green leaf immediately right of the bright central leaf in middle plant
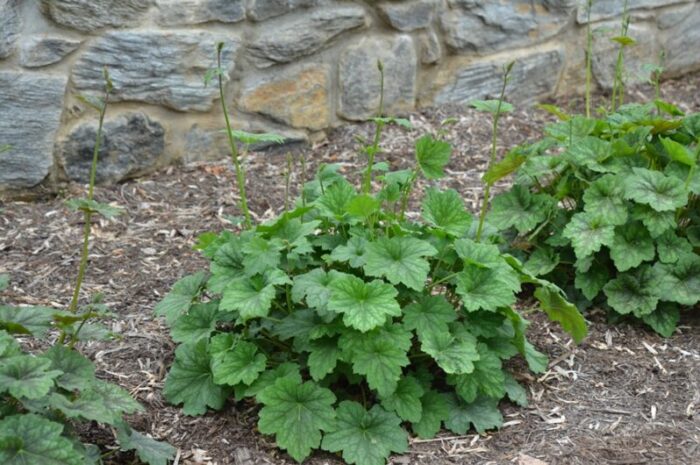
{"points": [[430, 316]]}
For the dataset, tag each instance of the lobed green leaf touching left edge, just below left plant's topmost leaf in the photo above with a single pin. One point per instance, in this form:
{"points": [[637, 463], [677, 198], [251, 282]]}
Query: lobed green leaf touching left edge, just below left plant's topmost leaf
{"points": [[27, 376]]}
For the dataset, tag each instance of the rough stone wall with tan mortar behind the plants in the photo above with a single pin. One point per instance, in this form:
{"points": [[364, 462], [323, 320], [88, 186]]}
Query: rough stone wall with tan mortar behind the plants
{"points": [[295, 67]]}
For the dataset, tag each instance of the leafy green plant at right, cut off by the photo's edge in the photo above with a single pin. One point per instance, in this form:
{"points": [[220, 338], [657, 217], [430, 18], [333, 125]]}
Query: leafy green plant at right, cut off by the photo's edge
{"points": [[608, 209]]}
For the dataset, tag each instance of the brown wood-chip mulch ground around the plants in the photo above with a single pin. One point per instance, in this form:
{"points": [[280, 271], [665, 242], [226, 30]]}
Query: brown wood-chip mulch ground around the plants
{"points": [[624, 396]]}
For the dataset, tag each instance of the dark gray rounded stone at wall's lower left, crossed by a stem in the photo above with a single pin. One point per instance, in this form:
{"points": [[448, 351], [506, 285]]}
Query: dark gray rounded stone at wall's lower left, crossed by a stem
{"points": [[132, 144]]}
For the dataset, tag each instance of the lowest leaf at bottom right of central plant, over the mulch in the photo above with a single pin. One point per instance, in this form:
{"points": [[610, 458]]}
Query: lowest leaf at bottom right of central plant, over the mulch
{"points": [[483, 413]]}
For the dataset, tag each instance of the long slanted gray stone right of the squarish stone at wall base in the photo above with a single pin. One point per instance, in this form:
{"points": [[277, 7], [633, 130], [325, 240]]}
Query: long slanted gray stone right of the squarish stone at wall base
{"points": [[532, 77]]}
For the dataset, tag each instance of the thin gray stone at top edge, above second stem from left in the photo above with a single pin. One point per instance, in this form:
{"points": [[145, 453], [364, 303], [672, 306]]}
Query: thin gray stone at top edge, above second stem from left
{"points": [[188, 12]]}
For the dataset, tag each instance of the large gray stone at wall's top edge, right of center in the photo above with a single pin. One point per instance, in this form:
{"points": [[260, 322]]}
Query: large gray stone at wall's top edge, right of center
{"points": [[484, 27]]}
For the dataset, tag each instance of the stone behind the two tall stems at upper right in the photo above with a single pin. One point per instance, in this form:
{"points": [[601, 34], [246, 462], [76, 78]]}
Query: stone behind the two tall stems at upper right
{"points": [[605, 51]]}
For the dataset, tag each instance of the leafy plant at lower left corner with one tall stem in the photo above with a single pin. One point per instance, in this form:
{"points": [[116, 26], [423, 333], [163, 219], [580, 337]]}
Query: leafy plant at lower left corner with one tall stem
{"points": [[44, 394]]}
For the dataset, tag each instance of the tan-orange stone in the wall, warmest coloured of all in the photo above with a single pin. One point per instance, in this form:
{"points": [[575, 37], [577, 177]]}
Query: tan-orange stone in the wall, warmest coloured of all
{"points": [[300, 99]]}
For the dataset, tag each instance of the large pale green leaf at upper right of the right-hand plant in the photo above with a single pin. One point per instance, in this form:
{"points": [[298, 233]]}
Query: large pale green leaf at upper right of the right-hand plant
{"points": [[659, 191]]}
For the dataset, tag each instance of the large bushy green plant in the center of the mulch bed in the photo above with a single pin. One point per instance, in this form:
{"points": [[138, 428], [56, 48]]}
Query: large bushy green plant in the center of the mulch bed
{"points": [[346, 321]]}
